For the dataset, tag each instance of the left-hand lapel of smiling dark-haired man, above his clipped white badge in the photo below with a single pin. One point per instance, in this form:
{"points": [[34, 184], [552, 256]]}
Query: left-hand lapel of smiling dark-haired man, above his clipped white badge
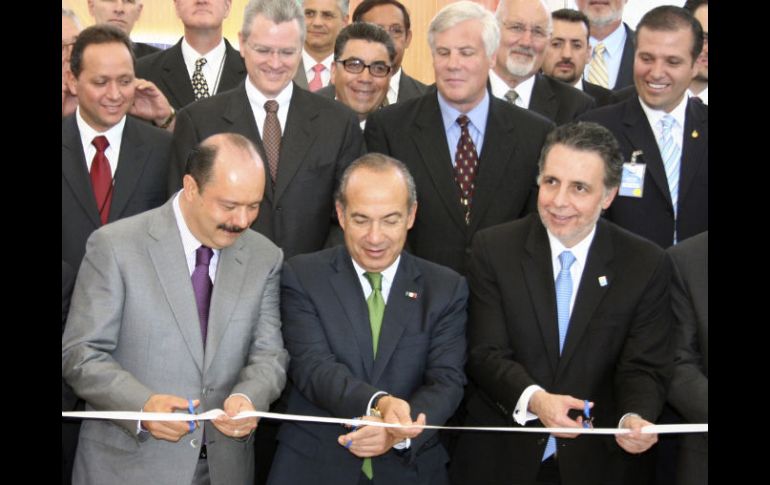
{"points": [[641, 137]]}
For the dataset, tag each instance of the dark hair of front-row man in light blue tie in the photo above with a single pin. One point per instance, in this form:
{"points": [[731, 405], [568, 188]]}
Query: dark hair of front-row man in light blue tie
{"points": [[587, 136]]}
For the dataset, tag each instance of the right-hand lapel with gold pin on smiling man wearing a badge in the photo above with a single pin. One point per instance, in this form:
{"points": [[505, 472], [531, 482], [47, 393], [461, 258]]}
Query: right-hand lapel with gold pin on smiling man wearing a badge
{"points": [[694, 147]]}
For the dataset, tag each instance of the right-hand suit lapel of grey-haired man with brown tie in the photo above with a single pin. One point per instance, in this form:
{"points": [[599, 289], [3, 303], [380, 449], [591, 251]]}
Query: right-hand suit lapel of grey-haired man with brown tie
{"points": [[297, 138]]}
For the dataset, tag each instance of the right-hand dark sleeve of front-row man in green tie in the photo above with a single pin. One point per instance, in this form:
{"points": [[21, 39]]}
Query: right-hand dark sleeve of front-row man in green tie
{"points": [[444, 378]]}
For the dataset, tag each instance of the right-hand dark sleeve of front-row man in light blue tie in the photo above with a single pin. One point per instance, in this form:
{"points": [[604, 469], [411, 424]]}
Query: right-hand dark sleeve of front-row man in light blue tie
{"points": [[644, 366]]}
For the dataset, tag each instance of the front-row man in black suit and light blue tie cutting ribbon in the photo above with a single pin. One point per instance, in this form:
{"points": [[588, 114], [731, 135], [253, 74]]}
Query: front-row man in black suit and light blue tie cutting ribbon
{"points": [[565, 307]]}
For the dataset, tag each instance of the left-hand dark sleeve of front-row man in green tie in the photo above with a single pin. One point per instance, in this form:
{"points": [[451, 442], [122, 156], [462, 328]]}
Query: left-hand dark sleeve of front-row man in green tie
{"points": [[314, 368]]}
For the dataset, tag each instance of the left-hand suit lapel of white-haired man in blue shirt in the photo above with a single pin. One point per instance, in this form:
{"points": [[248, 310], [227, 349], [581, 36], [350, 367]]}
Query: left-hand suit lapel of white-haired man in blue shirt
{"points": [[430, 139]]}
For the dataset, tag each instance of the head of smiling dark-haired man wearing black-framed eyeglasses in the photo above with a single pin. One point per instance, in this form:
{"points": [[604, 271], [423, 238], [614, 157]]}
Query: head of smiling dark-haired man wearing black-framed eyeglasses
{"points": [[363, 59]]}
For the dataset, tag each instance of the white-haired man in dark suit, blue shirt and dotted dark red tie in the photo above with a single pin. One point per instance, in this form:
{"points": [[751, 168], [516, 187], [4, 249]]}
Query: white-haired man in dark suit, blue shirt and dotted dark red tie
{"points": [[472, 177]]}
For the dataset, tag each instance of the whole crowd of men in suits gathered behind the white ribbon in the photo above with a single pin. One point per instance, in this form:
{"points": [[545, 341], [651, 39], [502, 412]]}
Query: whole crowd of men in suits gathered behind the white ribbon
{"points": [[298, 225]]}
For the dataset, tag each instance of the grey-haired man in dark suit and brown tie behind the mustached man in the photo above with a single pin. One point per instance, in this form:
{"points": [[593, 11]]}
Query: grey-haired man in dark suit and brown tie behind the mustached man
{"points": [[307, 142]]}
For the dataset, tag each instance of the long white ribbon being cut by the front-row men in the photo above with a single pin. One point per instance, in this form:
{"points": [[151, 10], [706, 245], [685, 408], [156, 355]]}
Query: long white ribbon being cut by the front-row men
{"points": [[214, 413]]}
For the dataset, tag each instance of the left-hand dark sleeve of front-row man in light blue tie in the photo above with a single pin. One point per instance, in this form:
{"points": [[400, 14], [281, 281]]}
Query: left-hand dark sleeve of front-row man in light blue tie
{"points": [[491, 360]]}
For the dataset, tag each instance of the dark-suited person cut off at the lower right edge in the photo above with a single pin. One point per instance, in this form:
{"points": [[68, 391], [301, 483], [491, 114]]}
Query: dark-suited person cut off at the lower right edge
{"points": [[689, 388]]}
